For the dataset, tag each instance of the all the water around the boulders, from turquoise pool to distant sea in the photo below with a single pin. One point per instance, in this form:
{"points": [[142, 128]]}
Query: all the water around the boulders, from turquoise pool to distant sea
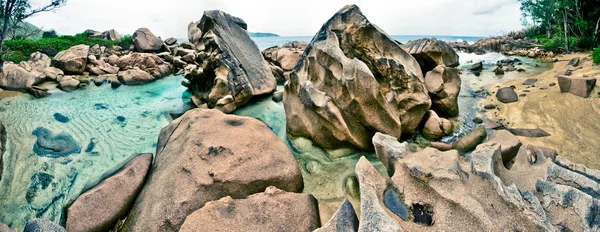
{"points": [[127, 121]]}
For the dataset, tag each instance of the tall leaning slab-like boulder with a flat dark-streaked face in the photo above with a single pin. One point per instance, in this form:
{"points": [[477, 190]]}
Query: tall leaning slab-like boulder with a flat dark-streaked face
{"points": [[231, 65]]}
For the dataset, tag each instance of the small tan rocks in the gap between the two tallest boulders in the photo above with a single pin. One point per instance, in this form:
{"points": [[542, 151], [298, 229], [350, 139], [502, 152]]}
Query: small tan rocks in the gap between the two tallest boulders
{"points": [[282, 60]]}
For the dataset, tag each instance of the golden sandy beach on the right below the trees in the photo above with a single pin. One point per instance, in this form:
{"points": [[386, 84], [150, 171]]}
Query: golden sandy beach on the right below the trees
{"points": [[572, 121]]}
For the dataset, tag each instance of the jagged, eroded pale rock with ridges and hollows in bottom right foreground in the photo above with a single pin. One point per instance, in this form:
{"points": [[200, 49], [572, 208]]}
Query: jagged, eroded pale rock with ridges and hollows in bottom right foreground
{"points": [[430, 190]]}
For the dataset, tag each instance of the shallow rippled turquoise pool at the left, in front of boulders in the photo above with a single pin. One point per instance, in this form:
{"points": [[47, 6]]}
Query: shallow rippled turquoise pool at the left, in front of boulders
{"points": [[109, 127]]}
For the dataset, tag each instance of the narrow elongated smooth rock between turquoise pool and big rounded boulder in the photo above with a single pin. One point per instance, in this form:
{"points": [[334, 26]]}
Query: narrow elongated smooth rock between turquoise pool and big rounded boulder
{"points": [[99, 208]]}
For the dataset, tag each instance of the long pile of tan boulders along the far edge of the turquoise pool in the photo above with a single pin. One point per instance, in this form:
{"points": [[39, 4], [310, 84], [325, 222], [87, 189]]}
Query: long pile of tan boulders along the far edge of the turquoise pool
{"points": [[147, 60]]}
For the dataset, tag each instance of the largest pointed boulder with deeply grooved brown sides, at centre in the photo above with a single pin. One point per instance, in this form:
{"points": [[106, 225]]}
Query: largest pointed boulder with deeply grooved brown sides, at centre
{"points": [[345, 88]]}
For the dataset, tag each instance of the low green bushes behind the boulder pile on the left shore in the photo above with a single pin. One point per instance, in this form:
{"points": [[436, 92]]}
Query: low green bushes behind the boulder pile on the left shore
{"points": [[19, 50]]}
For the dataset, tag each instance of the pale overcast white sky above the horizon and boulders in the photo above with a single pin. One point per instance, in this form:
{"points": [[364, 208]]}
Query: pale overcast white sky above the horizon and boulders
{"points": [[170, 18]]}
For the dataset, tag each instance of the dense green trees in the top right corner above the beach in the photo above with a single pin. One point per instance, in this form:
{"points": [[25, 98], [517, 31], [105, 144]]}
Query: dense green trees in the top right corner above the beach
{"points": [[563, 25]]}
